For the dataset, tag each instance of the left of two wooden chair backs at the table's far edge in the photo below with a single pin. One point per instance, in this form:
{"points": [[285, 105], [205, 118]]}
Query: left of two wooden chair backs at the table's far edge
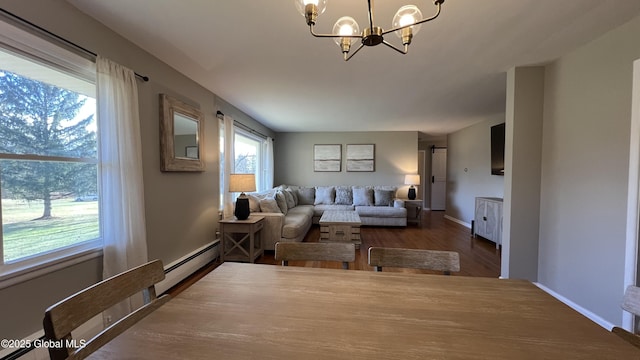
{"points": [[344, 252]]}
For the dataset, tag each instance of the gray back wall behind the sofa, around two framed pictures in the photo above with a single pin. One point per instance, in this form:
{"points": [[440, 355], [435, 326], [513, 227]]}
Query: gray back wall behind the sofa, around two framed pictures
{"points": [[396, 155]]}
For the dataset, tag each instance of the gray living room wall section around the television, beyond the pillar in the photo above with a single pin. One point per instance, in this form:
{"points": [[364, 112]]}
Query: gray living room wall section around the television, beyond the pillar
{"points": [[469, 169]]}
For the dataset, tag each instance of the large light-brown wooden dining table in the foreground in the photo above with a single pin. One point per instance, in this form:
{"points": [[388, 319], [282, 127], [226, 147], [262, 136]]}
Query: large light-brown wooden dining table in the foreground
{"points": [[251, 311]]}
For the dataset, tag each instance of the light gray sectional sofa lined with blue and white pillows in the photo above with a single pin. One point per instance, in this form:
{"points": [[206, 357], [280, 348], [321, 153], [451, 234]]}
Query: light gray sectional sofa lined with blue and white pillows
{"points": [[291, 210]]}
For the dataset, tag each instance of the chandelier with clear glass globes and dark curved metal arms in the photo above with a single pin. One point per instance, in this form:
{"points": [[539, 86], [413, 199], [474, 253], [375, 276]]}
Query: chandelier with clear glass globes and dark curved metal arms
{"points": [[405, 24]]}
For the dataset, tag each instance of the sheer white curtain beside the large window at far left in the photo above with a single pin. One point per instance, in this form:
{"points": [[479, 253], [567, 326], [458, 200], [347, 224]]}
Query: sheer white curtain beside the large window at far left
{"points": [[123, 227]]}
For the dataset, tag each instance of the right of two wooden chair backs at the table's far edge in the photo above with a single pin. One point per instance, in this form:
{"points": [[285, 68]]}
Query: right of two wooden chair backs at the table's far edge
{"points": [[445, 261]]}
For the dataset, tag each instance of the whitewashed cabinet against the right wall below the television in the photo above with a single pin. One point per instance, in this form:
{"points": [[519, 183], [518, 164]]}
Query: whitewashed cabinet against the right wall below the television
{"points": [[488, 219]]}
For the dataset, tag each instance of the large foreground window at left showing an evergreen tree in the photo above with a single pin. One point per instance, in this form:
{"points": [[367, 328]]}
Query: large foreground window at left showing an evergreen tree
{"points": [[49, 168]]}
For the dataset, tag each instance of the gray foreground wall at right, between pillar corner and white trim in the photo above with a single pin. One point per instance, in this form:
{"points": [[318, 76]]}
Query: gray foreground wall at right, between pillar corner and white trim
{"points": [[585, 167]]}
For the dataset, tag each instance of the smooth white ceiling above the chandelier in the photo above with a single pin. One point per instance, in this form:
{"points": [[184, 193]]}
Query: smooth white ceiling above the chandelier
{"points": [[259, 56]]}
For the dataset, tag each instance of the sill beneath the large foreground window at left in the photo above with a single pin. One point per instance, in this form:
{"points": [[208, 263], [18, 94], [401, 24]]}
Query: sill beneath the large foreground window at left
{"points": [[28, 271]]}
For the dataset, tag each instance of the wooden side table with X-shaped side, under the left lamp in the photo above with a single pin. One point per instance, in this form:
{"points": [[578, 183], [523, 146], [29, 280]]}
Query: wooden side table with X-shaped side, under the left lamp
{"points": [[241, 238]]}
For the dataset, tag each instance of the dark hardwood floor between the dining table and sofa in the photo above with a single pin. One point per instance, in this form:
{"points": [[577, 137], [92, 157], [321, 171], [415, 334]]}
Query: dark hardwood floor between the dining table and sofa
{"points": [[478, 257]]}
